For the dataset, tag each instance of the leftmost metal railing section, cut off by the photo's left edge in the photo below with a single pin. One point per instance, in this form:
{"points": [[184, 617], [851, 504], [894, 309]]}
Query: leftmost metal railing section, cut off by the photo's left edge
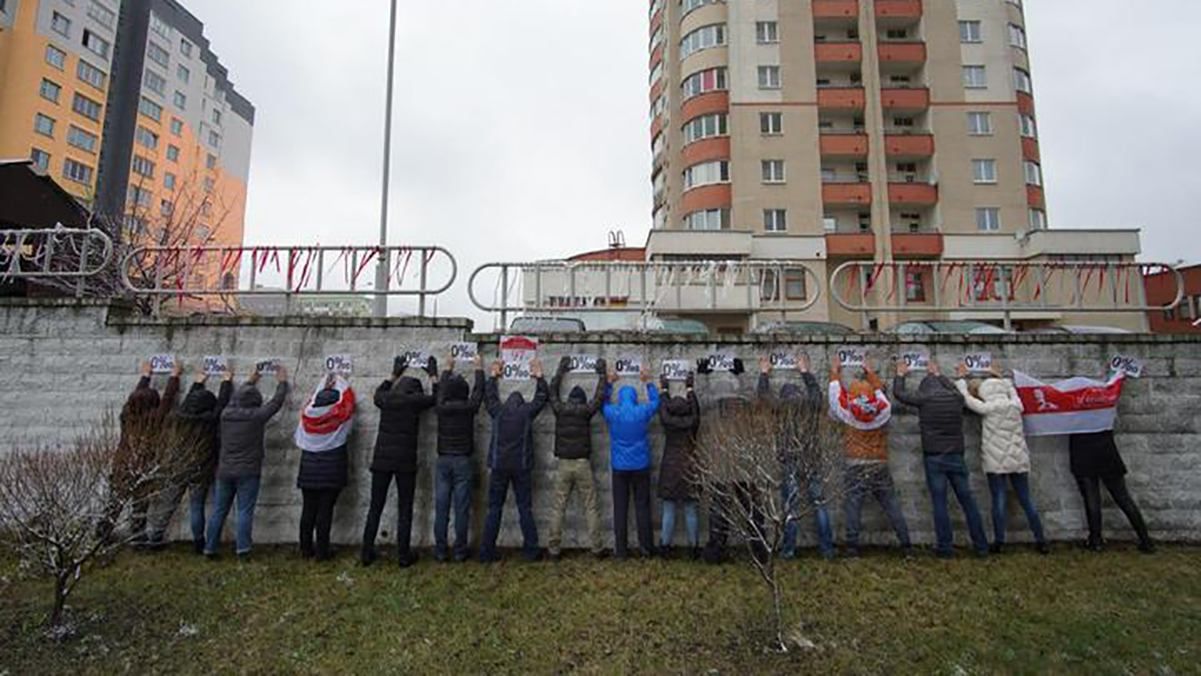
{"points": [[55, 254]]}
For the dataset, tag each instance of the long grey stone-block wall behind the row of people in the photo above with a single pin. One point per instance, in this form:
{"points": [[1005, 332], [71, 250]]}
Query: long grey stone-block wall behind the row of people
{"points": [[69, 362]]}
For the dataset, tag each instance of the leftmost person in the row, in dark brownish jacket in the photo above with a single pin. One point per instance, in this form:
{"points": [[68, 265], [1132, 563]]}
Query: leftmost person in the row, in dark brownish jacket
{"points": [[142, 422]]}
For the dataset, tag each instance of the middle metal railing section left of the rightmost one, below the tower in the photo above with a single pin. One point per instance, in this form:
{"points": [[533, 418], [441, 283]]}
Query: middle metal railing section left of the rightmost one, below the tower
{"points": [[668, 286]]}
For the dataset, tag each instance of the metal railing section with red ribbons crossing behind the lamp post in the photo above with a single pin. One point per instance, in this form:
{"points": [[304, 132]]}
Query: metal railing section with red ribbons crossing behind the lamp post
{"points": [[303, 271]]}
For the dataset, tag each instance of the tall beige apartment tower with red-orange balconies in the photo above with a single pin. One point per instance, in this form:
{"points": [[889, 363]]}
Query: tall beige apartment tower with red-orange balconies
{"points": [[827, 131]]}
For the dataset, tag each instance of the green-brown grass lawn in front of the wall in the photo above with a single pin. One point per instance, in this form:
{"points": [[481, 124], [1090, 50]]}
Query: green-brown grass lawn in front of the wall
{"points": [[1119, 613]]}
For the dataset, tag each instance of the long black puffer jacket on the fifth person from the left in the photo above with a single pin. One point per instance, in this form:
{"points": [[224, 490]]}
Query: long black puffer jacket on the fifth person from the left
{"points": [[401, 404]]}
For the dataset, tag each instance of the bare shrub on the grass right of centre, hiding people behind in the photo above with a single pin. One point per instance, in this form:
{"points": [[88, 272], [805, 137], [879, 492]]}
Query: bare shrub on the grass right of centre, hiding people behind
{"points": [[745, 457]]}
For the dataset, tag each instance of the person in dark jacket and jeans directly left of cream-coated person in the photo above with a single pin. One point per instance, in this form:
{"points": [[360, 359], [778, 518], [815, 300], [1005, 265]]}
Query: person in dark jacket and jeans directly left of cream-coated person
{"points": [[941, 418]]}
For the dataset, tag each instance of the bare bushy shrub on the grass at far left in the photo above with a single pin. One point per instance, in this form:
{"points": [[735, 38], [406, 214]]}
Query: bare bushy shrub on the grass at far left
{"points": [[59, 506]]}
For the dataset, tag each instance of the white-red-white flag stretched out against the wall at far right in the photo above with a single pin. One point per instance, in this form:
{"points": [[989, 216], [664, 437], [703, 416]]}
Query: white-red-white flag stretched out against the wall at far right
{"points": [[1068, 408]]}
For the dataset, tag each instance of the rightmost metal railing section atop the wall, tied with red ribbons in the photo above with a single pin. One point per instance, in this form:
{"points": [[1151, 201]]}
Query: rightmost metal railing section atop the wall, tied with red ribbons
{"points": [[982, 288]]}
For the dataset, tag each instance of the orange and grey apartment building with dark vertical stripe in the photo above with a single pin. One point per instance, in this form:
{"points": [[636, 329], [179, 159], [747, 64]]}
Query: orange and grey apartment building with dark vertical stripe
{"points": [[126, 105]]}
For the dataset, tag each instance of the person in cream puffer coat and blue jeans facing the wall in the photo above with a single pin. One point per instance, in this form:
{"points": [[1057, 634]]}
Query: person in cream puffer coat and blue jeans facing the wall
{"points": [[1006, 457]]}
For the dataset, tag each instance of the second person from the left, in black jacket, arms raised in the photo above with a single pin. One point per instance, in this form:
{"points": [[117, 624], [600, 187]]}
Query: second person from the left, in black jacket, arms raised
{"points": [[196, 428]]}
